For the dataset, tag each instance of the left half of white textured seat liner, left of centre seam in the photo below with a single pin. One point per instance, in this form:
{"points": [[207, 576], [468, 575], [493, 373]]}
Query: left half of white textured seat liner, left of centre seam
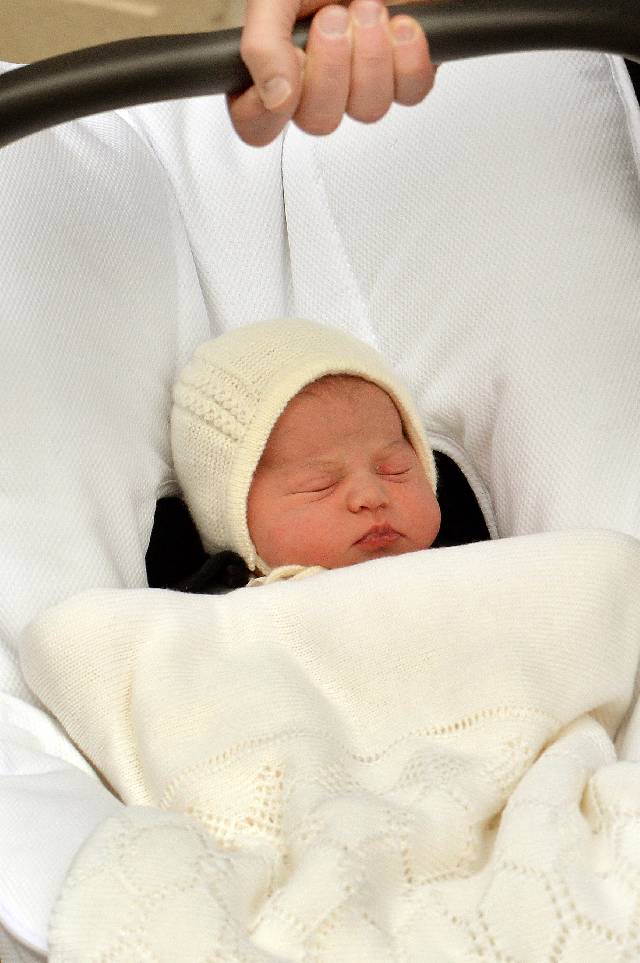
{"points": [[101, 302]]}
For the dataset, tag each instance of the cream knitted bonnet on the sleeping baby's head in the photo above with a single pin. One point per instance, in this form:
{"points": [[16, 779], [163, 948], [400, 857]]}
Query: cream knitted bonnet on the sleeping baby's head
{"points": [[228, 398]]}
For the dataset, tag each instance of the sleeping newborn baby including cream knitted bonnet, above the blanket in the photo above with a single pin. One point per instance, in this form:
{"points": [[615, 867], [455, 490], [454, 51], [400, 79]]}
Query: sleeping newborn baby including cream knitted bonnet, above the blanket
{"points": [[296, 447]]}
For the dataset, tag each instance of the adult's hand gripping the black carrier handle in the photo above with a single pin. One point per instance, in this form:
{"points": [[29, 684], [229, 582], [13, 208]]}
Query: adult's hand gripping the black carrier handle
{"points": [[358, 61]]}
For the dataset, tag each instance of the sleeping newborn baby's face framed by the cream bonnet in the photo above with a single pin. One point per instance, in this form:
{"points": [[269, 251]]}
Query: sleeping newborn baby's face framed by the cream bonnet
{"points": [[338, 482]]}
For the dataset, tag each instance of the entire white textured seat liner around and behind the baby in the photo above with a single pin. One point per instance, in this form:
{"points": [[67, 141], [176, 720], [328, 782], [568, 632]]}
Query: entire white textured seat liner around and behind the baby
{"points": [[486, 241]]}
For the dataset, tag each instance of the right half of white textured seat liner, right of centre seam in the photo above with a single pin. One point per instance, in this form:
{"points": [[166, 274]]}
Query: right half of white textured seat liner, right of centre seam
{"points": [[488, 244]]}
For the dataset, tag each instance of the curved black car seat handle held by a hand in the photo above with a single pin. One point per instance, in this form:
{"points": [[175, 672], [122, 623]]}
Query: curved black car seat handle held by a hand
{"points": [[150, 69]]}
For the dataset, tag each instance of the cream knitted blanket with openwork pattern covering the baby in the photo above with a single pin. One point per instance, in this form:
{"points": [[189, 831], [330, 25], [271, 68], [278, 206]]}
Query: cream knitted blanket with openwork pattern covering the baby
{"points": [[423, 759]]}
